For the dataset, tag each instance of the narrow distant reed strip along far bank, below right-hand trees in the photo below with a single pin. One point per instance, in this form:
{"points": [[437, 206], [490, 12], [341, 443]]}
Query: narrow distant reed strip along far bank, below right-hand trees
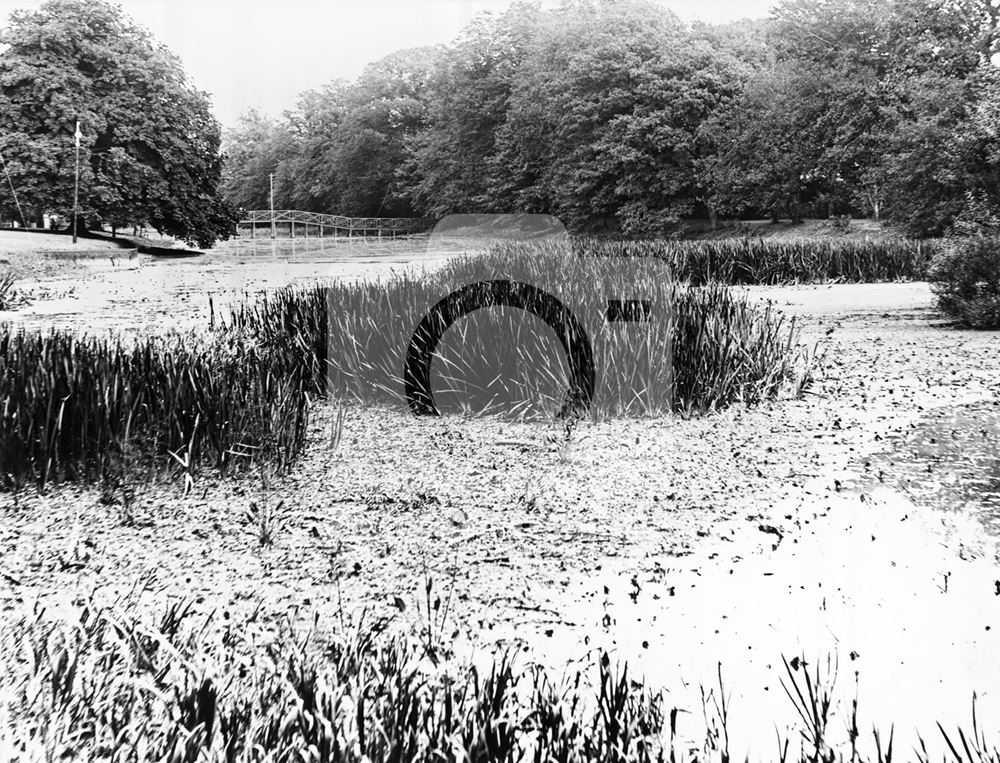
{"points": [[749, 261]]}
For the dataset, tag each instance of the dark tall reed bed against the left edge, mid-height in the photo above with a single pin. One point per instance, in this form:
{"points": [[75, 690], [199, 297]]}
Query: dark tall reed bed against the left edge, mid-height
{"points": [[83, 408]]}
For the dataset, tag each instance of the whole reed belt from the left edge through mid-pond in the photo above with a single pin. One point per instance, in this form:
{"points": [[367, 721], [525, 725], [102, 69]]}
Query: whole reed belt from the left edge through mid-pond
{"points": [[85, 408]]}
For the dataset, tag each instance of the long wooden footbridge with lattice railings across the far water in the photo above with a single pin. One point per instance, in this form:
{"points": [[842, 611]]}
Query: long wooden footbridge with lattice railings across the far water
{"points": [[281, 222]]}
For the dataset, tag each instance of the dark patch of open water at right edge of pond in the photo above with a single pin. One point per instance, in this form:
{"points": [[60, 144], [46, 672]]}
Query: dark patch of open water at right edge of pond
{"points": [[949, 459]]}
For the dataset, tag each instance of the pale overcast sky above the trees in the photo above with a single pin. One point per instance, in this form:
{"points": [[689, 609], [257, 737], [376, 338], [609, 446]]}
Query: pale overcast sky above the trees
{"points": [[262, 53]]}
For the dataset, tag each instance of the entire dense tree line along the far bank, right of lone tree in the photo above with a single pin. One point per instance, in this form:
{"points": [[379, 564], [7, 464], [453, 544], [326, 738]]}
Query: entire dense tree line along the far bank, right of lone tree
{"points": [[615, 115]]}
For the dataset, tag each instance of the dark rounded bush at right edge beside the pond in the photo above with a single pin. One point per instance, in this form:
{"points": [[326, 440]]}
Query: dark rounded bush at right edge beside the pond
{"points": [[965, 276]]}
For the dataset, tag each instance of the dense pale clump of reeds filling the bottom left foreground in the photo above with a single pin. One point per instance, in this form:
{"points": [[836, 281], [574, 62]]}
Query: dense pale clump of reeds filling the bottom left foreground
{"points": [[111, 686]]}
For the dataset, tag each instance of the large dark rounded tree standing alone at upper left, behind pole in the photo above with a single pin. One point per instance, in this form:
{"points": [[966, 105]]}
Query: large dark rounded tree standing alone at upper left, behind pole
{"points": [[150, 151]]}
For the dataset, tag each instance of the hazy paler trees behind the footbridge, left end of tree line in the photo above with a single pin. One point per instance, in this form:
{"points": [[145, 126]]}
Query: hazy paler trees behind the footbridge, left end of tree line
{"points": [[341, 147]]}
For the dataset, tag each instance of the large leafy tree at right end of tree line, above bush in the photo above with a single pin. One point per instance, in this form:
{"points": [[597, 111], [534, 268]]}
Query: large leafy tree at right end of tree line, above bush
{"points": [[864, 107]]}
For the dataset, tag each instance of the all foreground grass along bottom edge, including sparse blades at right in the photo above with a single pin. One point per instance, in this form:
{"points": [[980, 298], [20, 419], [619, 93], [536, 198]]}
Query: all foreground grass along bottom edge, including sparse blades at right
{"points": [[107, 685]]}
